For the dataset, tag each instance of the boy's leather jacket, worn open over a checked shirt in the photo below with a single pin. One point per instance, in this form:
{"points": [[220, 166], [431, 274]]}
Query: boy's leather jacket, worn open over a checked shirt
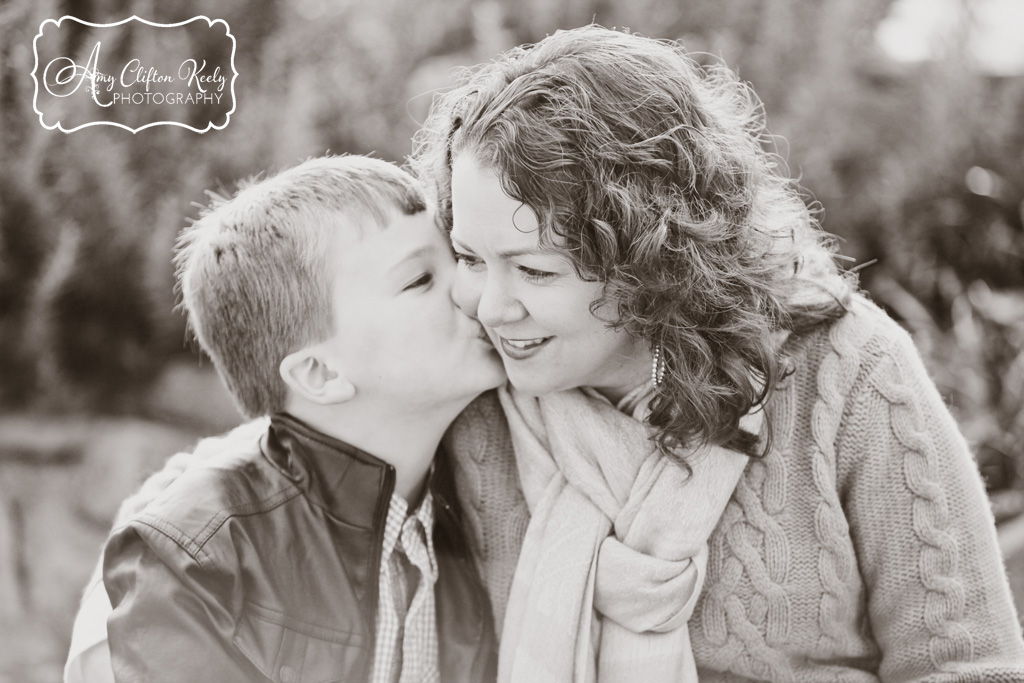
{"points": [[263, 565]]}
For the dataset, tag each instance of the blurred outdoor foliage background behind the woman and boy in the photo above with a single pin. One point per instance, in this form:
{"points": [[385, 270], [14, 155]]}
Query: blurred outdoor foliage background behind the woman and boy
{"points": [[905, 119]]}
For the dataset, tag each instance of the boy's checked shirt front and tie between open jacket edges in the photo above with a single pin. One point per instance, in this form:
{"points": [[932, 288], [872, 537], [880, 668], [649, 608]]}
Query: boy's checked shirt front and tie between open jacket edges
{"points": [[407, 627]]}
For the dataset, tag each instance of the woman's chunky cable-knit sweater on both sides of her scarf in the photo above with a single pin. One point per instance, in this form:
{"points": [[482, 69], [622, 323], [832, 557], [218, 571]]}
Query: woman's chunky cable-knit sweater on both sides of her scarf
{"points": [[861, 548]]}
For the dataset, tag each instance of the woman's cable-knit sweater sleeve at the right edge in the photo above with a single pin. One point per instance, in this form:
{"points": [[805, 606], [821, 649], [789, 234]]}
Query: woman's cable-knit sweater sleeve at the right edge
{"points": [[938, 601]]}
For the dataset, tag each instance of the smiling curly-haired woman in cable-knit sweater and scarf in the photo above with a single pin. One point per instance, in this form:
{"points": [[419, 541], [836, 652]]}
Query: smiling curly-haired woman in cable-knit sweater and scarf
{"points": [[624, 238]]}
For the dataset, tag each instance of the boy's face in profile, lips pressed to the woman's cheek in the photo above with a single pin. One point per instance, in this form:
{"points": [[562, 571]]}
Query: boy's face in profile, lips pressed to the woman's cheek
{"points": [[399, 336]]}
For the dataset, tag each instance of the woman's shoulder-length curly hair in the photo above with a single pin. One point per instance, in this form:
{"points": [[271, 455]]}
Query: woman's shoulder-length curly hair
{"points": [[654, 173]]}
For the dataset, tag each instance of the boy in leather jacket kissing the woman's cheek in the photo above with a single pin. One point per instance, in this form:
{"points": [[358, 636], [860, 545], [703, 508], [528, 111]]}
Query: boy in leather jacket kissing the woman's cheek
{"points": [[326, 546]]}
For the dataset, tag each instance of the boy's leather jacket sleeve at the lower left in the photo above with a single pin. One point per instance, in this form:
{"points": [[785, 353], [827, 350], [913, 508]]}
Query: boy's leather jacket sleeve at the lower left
{"points": [[169, 623]]}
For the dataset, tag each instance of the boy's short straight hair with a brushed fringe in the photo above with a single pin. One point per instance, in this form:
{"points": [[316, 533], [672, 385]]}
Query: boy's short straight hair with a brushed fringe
{"points": [[253, 270]]}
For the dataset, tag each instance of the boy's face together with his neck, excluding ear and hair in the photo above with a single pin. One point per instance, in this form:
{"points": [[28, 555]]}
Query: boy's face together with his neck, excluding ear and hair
{"points": [[418, 363]]}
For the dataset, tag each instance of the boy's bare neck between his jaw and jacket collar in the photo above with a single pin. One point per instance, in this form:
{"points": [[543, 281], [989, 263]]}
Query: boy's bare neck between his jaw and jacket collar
{"points": [[408, 444]]}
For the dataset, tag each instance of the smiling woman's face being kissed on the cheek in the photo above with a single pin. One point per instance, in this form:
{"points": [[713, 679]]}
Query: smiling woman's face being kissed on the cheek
{"points": [[534, 307]]}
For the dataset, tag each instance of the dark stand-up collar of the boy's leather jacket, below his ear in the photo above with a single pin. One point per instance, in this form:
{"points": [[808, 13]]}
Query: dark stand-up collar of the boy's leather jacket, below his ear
{"points": [[349, 483]]}
